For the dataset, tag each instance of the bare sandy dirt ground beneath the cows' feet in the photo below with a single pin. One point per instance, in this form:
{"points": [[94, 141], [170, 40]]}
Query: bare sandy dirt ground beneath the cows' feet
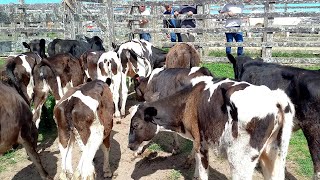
{"points": [[153, 166]]}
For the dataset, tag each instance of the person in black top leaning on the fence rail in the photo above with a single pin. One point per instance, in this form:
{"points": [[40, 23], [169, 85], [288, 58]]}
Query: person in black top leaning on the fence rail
{"points": [[189, 10]]}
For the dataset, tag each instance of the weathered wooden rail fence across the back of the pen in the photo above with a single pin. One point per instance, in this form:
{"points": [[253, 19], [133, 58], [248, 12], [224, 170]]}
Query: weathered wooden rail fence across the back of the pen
{"points": [[117, 21]]}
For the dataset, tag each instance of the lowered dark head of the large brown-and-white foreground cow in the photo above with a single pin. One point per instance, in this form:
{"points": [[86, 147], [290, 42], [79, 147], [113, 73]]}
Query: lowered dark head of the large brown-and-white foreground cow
{"points": [[142, 127]]}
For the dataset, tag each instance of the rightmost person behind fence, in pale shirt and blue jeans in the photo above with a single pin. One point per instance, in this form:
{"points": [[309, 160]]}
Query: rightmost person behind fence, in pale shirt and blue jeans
{"points": [[230, 10]]}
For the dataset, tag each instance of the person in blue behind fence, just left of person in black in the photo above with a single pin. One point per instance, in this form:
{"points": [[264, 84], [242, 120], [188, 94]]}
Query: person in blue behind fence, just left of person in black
{"points": [[172, 23]]}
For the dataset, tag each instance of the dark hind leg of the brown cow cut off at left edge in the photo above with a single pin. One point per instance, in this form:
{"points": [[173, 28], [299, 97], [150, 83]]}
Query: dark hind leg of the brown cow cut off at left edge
{"points": [[31, 151]]}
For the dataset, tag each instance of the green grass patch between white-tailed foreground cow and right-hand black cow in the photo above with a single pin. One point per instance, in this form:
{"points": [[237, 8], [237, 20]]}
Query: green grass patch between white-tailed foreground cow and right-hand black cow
{"points": [[299, 153]]}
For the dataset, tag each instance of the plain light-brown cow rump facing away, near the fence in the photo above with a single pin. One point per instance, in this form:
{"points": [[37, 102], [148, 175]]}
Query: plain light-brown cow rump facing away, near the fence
{"points": [[182, 55]]}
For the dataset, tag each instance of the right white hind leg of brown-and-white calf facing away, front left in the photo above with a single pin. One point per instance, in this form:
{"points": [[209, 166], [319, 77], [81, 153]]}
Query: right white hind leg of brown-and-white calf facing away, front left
{"points": [[85, 169]]}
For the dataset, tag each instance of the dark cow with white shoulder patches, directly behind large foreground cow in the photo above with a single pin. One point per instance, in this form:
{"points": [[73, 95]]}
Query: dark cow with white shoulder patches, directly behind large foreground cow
{"points": [[164, 82]]}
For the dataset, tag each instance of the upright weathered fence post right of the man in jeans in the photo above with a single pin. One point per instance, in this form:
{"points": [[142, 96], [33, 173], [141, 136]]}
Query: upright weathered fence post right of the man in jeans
{"points": [[266, 52]]}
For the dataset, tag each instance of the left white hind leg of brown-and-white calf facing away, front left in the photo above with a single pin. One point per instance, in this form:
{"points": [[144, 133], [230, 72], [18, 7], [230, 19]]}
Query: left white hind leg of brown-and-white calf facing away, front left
{"points": [[66, 158]]}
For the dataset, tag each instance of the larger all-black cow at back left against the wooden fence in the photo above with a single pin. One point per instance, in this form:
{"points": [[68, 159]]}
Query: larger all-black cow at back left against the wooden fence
{"points": [[74, 47]]}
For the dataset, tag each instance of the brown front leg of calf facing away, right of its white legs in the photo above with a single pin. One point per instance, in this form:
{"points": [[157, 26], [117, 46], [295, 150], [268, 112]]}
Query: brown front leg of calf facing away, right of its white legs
{"points": [[106, 149]]}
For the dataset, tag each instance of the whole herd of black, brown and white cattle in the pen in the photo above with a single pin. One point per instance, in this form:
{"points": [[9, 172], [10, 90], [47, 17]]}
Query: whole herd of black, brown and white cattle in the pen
{"points": [[248, 120]]}
